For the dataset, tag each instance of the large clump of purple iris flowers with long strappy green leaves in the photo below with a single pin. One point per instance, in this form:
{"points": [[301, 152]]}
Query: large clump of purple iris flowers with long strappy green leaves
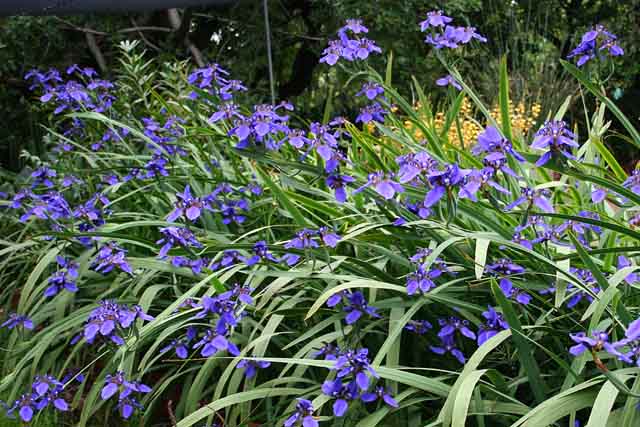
{"points": [[183, 258]]}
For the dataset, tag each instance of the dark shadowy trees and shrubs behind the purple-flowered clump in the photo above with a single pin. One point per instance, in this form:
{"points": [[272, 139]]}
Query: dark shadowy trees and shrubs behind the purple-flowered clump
{"points": [[533, 34]]}
